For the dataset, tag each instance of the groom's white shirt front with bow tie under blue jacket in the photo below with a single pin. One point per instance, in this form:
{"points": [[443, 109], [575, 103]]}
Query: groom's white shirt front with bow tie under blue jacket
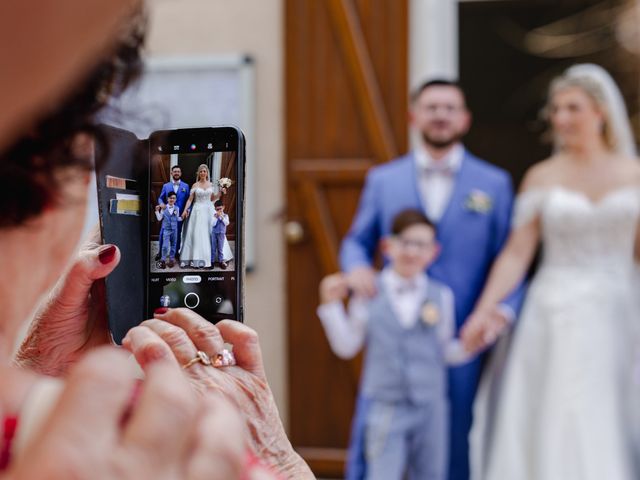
{"points": [[436, 179]]}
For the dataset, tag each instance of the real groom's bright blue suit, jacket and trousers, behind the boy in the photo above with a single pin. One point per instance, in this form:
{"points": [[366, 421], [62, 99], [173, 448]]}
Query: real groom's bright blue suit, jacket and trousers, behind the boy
{"points": [[470, 241]]}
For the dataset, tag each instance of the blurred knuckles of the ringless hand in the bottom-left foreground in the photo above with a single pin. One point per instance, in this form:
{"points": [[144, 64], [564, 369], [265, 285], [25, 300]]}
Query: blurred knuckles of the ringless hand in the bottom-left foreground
{"points": [[99, 430]]}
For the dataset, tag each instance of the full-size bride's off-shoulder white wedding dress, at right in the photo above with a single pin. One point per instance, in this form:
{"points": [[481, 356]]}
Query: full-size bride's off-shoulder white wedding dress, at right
{"points": [[560, 398]]}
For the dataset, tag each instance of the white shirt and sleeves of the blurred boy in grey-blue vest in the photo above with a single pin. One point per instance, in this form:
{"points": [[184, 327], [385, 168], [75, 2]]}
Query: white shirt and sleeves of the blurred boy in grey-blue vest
{"points": [[346, 332]]}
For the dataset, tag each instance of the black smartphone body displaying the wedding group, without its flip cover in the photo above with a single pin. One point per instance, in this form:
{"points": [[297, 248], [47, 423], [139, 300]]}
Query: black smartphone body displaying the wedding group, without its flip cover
{"points": [[195, 221]]}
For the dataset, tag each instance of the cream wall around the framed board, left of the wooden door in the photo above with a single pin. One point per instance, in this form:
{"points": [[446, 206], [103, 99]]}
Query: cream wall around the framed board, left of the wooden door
{"points": [[254, 27]]}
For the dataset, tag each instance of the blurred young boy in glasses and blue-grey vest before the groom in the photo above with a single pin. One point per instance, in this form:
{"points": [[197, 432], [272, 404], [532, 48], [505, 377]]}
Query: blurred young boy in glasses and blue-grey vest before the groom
{"points": [[408, 330]]}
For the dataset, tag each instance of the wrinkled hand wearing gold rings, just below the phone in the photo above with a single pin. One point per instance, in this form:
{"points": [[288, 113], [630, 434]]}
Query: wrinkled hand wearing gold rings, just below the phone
{"points": [[180, 333]]}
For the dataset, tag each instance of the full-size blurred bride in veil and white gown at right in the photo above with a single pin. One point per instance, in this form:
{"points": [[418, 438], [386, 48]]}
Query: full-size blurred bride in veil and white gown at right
{"points": [[561, 406]]}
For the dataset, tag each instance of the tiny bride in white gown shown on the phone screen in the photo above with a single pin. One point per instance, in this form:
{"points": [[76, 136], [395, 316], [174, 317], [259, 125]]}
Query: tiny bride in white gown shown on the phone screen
{"points": [[196, 240]]}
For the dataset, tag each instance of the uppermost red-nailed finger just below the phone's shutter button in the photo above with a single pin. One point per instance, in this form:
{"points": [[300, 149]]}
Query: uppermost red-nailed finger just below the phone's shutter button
{"points": [[204, 335]]}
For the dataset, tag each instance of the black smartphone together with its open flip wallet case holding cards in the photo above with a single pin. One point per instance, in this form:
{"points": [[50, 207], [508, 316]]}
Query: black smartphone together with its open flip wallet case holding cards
{"points": [[180, 236]]}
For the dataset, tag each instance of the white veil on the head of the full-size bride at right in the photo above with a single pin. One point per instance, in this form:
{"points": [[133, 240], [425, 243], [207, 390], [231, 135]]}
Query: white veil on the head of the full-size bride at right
{"points": [[618, 118]]}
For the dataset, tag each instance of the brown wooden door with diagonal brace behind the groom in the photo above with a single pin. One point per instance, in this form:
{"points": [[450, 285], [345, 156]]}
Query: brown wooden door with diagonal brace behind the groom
{"points": [[346, 95]]}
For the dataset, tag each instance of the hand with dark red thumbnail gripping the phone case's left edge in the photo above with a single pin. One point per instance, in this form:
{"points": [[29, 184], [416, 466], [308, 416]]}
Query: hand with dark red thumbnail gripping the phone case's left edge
{"points": [[73, 319]]}
